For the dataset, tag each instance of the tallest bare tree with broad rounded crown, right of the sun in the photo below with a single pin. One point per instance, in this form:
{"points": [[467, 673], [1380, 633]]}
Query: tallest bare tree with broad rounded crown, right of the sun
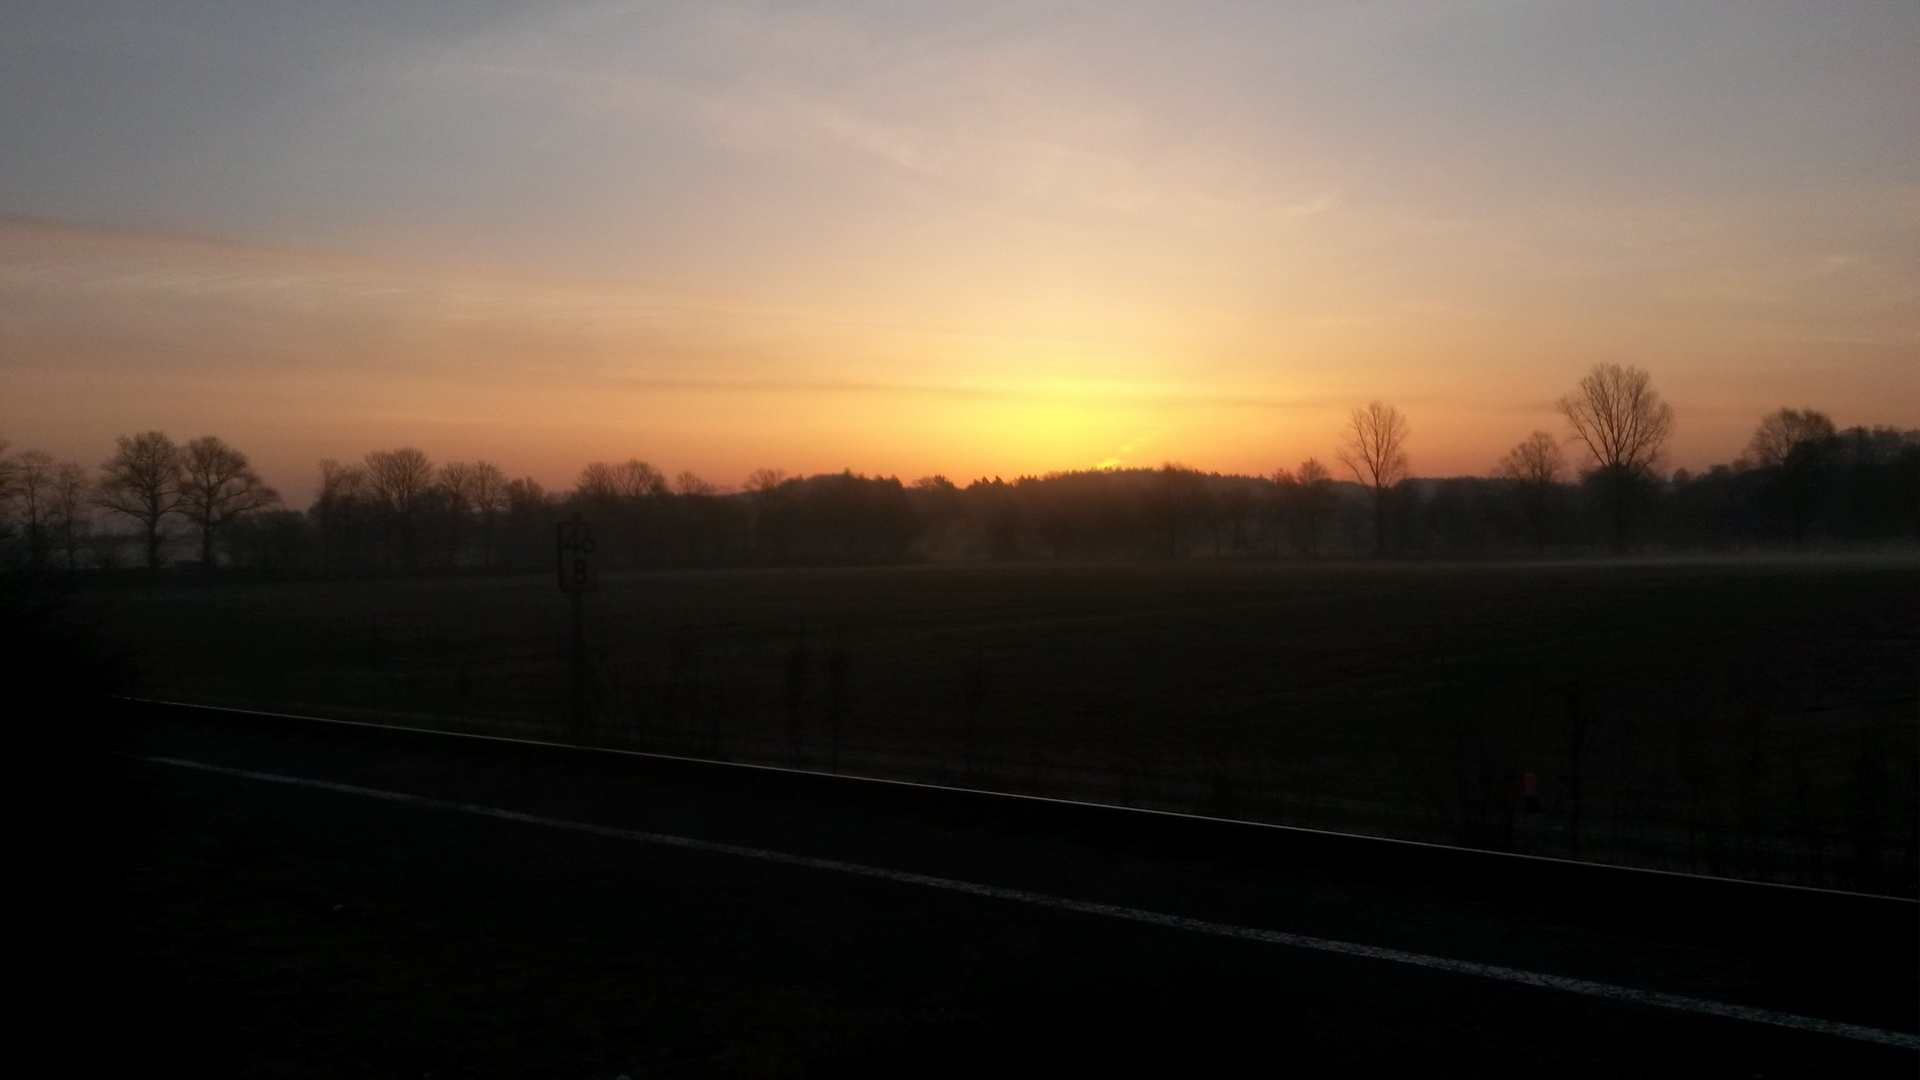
{"points": [[1623, 424]]}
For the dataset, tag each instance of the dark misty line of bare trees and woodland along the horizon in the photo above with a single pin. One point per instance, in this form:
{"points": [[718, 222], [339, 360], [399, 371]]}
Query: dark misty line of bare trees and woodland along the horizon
{"points": [[201, 504]]}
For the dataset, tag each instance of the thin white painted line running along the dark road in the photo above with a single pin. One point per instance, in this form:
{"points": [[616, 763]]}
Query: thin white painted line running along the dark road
{"points": [[1606, 991]]}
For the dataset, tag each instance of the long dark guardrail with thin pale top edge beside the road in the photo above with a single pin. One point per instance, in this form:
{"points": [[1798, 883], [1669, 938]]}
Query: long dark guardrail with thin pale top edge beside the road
{"points": [[1692, 906]]}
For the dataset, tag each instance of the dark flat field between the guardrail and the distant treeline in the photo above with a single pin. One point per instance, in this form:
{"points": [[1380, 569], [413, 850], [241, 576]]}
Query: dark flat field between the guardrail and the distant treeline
{"points": [[1733, 718]]}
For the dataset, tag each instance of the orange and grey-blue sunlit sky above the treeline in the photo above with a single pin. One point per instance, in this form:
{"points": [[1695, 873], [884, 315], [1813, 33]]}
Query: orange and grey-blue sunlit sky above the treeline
{"points": [[965, 239]]}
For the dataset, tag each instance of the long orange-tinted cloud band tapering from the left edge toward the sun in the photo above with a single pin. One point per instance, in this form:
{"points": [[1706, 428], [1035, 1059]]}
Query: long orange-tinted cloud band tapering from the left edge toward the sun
{"points": [[149, 303]]}
